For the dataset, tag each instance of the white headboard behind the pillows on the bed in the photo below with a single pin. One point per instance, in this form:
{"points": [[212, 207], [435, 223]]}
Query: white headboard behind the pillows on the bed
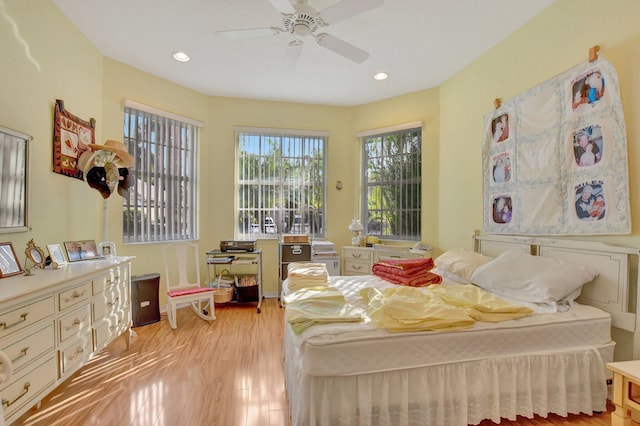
{"points": [[615, 288]]}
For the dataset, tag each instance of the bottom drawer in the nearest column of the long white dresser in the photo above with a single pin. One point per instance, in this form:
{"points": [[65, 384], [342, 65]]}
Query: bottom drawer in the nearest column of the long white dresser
{"points": [[23, 389]]}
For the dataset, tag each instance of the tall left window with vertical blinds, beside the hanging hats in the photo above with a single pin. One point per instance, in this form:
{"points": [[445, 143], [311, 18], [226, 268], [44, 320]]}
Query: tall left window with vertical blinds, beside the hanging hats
{"points": [[162, 204]]}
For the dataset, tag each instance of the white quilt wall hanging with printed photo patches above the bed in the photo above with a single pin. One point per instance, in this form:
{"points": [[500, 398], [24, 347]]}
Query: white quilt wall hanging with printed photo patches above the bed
{"points": [[555, 158]]}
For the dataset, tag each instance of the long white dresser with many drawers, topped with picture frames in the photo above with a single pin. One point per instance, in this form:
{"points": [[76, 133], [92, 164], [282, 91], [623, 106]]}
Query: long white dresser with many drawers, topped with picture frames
{"points": [[54, 321]]}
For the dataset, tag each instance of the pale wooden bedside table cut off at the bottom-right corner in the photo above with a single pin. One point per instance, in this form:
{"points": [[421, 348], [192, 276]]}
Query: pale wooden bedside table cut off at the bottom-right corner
{"points": [[626, 392]]}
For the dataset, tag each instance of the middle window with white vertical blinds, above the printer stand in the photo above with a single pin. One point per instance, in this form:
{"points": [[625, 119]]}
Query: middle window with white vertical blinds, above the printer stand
{"points": [[280, 182]]}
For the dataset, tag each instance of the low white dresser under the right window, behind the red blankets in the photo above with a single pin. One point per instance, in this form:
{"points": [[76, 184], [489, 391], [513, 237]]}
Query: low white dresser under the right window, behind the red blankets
{"points": [[360, 260]]}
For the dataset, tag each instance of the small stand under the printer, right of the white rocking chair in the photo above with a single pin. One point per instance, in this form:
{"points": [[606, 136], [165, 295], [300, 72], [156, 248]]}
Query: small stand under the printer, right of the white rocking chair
{"points": [[239, 264]]}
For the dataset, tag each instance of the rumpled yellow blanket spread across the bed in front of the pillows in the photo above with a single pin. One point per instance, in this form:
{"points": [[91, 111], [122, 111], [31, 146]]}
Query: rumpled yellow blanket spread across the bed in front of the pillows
{"points": [[403, 308]]}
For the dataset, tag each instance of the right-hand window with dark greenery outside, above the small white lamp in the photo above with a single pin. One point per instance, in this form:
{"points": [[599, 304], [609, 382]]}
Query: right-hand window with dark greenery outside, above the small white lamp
{"points": [[392, 178]]}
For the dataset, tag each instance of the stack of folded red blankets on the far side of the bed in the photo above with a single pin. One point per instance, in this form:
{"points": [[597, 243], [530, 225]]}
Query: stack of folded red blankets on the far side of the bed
{"points": [[409, 272]]}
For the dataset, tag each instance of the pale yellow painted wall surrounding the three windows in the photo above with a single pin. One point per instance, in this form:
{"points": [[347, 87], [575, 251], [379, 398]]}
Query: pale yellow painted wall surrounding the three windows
{"points": [[65, 65]]}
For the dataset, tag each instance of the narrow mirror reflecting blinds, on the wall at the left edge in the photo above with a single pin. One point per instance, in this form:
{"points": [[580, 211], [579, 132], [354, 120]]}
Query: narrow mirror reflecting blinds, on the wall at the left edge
{"points": [[14, 181]]}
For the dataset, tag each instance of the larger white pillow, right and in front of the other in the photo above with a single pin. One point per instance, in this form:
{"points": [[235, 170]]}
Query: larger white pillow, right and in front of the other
{"points": [[528, 278]]}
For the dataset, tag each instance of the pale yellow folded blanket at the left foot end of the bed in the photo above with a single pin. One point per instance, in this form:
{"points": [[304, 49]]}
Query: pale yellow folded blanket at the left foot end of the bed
{"points": [[318, 305]]}
